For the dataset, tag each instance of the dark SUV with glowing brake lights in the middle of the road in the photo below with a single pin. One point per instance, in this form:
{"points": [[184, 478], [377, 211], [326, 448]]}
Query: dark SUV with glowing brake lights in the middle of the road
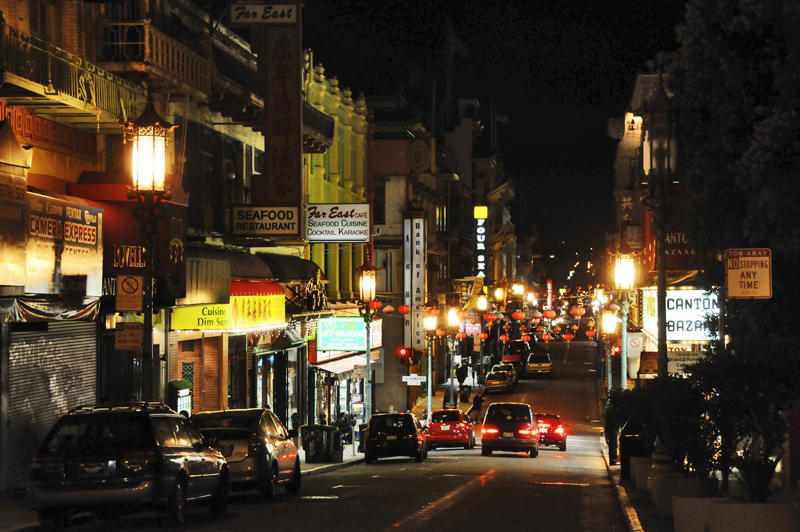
{"points": [[509, 427]]}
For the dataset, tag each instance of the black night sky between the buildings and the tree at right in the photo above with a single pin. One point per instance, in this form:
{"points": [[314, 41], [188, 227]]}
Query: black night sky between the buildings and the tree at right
{"points": [[558, 69]]}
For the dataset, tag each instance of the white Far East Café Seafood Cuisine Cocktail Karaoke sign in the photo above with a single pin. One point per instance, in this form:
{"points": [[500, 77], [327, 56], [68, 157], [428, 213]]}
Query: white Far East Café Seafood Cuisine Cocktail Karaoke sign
{"points": [[337, 222]]}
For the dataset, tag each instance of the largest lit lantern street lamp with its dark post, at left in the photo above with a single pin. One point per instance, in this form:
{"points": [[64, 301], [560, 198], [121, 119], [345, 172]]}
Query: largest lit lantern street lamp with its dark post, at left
{"points": [[148, 136]]}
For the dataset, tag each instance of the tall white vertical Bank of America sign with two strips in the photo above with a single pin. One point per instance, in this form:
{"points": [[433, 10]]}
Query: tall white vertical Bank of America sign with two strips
{"points": [[414, 276]]}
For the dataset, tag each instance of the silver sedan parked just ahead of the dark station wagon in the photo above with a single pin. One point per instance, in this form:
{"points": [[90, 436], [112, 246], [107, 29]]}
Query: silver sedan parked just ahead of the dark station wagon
{"points": [[259, 450]]}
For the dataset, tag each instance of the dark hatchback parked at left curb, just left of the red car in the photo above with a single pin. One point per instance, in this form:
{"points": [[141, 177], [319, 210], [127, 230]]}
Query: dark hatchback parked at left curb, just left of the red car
{"points": [[398, 434]]}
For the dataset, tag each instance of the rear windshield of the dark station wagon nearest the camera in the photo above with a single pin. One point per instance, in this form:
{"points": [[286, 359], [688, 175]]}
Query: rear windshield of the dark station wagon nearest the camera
{"points": [[98, 434]]}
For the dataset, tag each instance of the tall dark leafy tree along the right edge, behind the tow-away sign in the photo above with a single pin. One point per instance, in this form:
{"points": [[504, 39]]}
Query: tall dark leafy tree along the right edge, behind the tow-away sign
{"points": [[736, 83]]}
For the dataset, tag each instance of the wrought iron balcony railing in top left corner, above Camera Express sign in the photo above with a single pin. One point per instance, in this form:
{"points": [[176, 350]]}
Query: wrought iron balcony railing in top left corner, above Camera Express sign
{"points": [[60, 72]]}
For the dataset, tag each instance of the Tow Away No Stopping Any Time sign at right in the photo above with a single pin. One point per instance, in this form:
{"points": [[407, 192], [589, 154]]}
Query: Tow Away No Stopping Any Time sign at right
{"points": [[748, 273]]}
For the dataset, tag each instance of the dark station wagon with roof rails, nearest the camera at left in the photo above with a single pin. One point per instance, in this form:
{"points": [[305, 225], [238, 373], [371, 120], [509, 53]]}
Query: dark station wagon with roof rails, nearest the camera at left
{"points": [[124, 457]]}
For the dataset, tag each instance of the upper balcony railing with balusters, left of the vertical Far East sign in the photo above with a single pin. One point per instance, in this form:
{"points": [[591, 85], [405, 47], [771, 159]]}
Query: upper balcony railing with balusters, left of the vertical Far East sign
{"points": [[127, 43]]}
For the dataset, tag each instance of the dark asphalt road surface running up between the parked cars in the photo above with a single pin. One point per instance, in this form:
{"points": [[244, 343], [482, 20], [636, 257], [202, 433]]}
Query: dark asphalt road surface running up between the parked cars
{"points": [[453, 489]]}
